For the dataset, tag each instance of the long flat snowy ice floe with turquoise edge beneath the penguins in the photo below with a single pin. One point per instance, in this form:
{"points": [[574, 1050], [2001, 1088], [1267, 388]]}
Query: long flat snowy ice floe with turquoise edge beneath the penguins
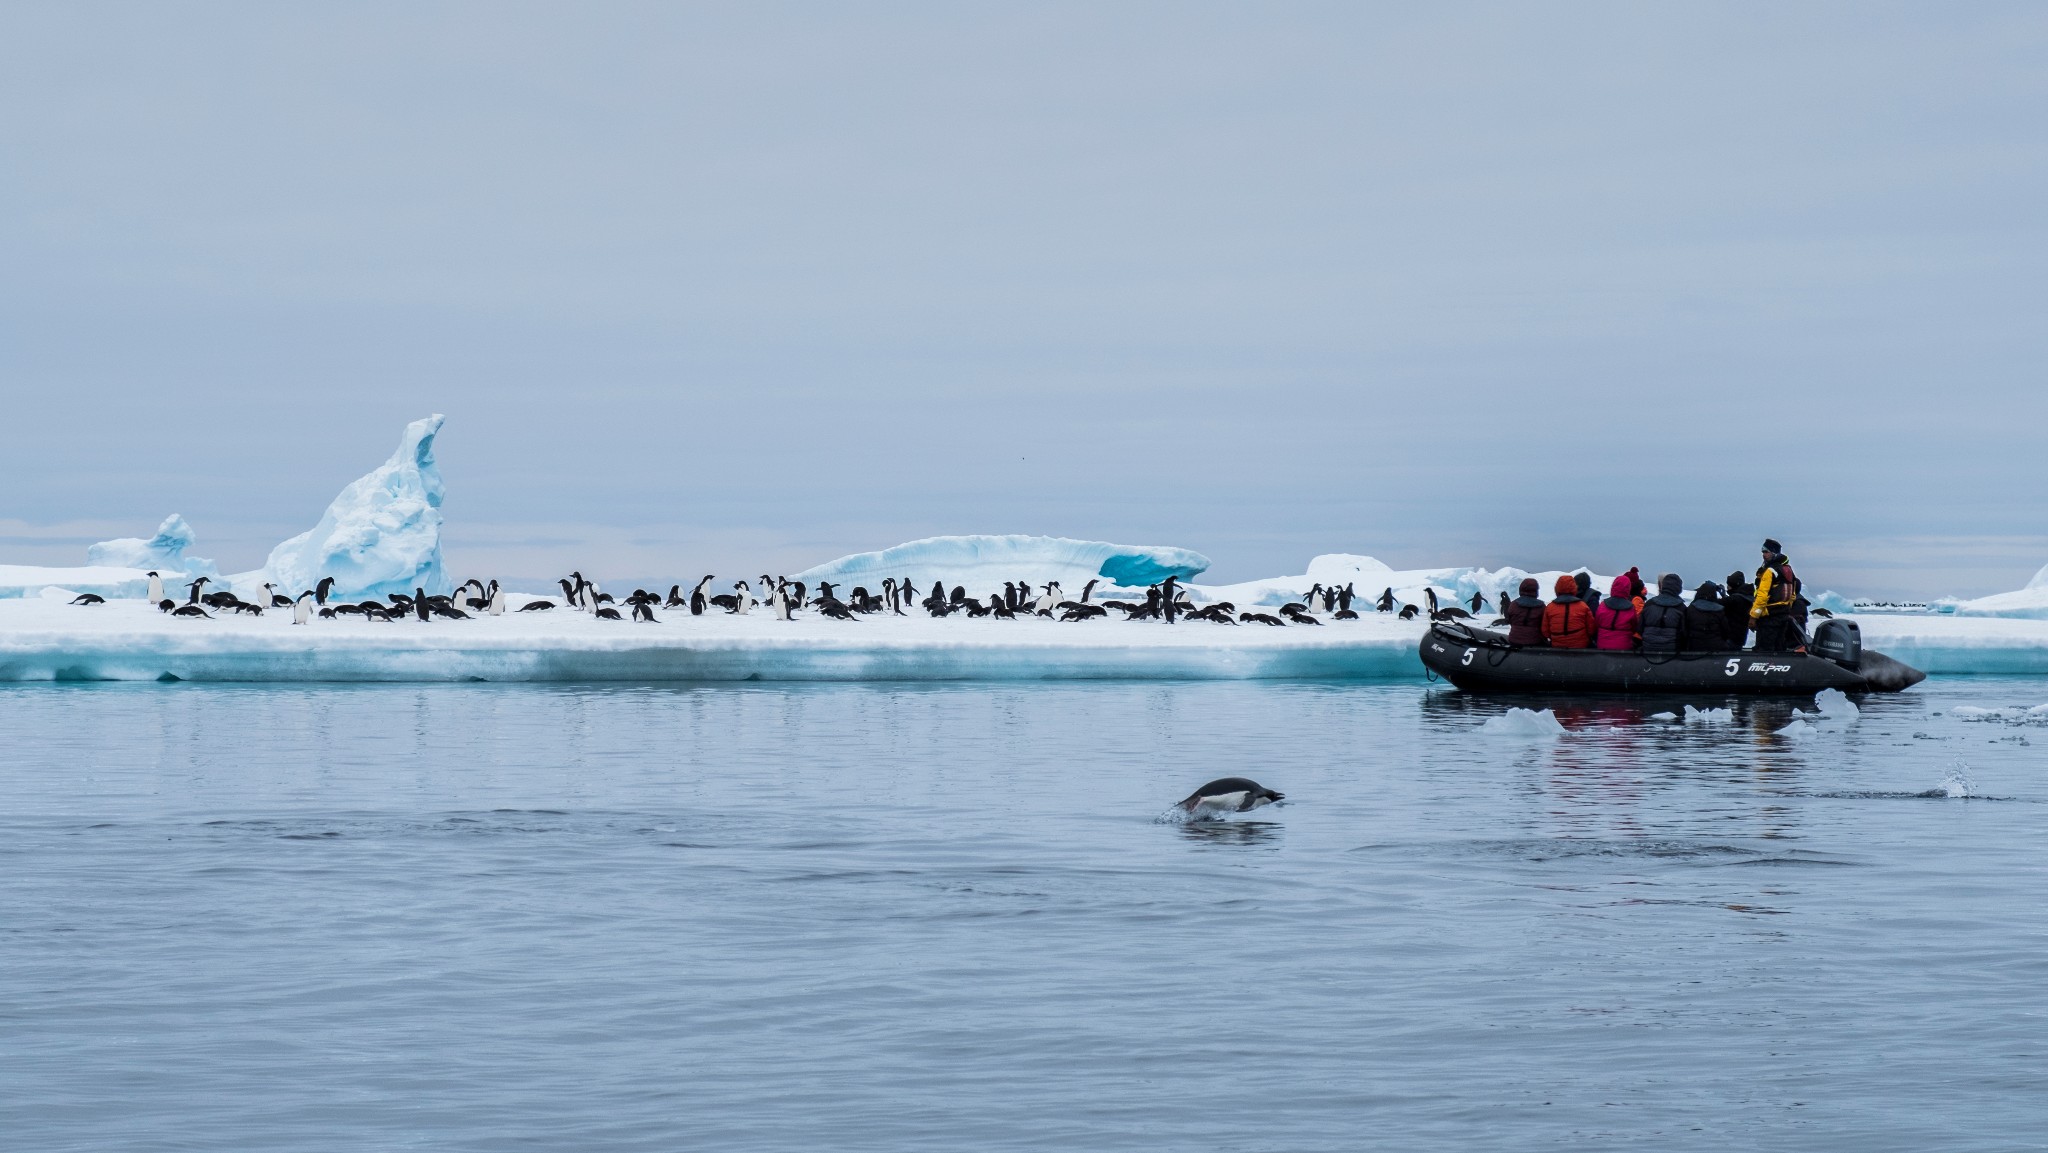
{"points": [[126, 640]]}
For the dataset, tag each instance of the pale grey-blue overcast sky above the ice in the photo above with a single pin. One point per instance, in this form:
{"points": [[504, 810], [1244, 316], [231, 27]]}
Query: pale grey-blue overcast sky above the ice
{"points": [[749, 288]]}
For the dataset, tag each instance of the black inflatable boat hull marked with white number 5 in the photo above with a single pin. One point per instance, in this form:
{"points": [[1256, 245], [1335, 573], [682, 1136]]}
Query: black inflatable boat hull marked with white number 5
{"points": [[1836, 658]]}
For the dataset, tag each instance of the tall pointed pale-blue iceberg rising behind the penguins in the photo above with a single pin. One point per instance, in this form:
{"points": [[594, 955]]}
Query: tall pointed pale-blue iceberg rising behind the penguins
{"points": [[380, 536]]}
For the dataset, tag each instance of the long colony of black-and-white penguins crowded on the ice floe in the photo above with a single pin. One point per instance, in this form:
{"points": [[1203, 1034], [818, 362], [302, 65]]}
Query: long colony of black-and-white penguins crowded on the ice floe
{"points": [[783, 599]]}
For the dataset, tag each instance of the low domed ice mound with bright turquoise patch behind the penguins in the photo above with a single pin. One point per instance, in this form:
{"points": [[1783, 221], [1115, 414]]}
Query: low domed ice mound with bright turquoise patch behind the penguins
{"points": [[988, 562]]}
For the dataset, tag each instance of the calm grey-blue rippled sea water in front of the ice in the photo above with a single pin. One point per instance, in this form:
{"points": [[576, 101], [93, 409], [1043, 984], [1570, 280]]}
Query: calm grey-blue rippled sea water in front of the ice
{"points": [[951, 919]]}
